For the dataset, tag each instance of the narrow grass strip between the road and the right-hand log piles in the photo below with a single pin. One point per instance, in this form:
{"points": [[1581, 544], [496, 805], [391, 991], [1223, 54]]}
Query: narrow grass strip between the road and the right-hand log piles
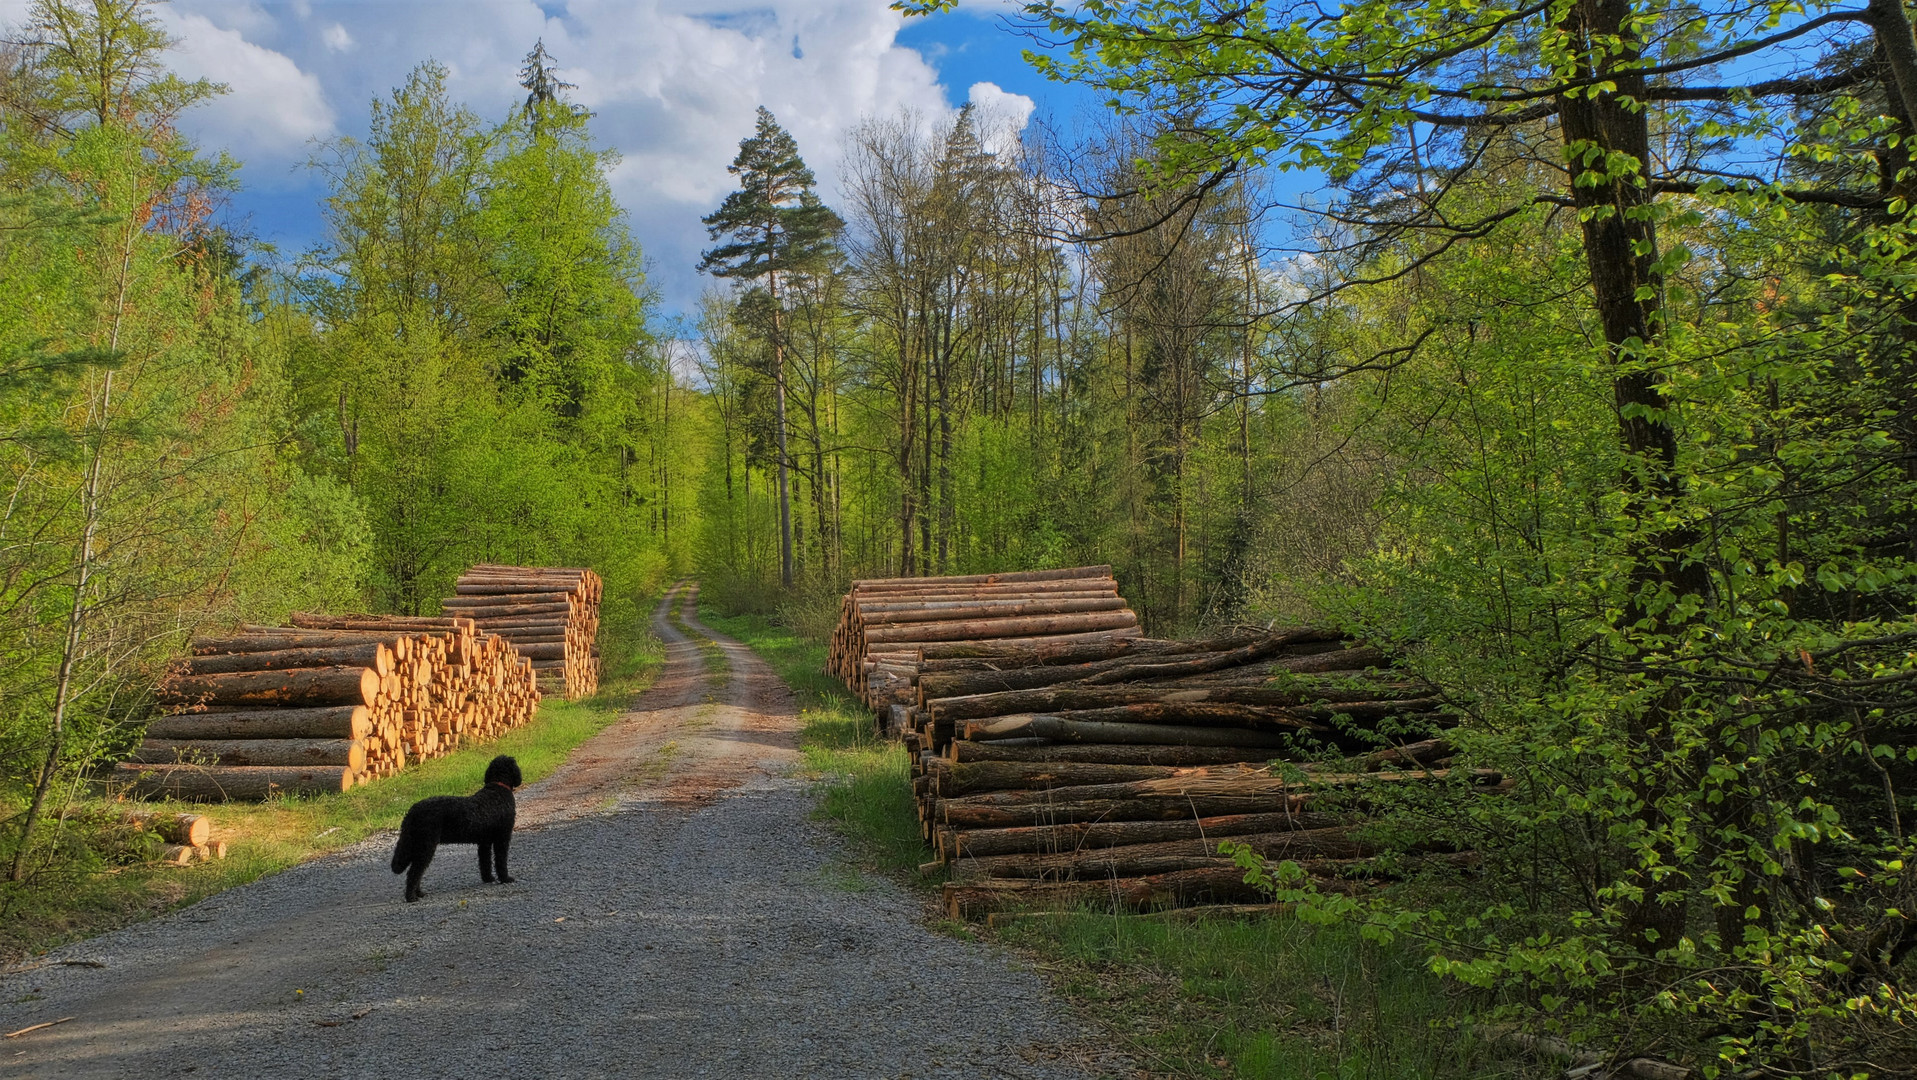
{"points": [[867, 791]]}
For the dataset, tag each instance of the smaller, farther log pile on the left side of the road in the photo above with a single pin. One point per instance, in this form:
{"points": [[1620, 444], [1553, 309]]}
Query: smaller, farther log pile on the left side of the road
{"points": [[549, 615]]}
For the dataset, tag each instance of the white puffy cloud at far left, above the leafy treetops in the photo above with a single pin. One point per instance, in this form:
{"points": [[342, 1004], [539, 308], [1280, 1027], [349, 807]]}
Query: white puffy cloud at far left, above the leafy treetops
{"points": [[271, 108]]}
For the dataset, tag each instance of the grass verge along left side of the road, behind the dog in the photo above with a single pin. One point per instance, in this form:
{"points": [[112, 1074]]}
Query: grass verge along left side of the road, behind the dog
{"points": [[68, 904]]}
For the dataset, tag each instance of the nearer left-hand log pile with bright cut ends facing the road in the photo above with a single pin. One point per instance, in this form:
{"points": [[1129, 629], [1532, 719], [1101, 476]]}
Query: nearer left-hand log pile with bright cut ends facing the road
{"points": [[325, 705]]}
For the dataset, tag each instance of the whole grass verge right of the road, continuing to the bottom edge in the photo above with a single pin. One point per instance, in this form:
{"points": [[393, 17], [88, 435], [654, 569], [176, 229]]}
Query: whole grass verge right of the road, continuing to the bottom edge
{"points": [[1266, 998]]}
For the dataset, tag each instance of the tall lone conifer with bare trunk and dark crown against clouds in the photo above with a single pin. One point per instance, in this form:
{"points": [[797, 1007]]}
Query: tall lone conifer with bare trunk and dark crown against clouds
{"points": [[775, 225]]}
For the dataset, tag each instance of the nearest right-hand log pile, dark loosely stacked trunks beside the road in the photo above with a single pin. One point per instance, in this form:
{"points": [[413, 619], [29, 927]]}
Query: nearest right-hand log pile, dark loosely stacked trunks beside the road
{"points": [[1113, 772]]}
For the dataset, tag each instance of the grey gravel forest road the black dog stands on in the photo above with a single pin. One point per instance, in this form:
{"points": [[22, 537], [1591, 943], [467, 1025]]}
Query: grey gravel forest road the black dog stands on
{"points": [[676, 914]]}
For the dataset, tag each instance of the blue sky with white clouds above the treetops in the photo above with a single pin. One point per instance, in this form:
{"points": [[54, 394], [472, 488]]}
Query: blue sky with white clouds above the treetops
{"points": [[672, 83]]}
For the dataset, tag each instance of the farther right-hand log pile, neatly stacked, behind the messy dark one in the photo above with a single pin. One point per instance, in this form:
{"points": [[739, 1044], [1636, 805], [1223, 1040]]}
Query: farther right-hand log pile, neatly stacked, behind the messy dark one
{"points": [[890, 626]]}
